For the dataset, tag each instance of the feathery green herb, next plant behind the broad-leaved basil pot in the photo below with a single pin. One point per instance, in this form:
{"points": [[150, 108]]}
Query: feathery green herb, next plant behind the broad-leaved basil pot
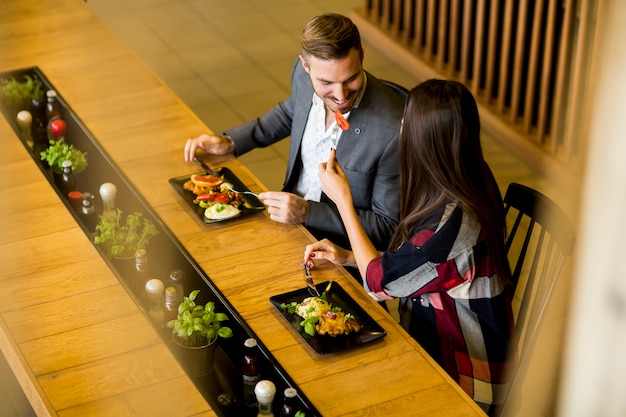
{"points": [[119, 238]]}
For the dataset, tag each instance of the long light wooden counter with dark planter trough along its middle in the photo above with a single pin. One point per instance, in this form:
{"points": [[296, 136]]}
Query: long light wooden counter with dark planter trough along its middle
{"points": [[74, 337]]}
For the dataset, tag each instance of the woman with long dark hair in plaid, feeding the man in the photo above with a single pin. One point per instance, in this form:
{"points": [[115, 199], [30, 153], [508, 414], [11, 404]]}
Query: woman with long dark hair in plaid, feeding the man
{"points": [[446, 261]]}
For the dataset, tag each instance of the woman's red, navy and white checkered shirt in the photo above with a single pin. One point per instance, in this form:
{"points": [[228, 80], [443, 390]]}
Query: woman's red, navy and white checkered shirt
{"points": [[459, 309]]}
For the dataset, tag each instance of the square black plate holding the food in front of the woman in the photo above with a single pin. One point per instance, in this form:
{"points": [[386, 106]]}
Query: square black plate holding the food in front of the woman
{"points": [[337, 297]]}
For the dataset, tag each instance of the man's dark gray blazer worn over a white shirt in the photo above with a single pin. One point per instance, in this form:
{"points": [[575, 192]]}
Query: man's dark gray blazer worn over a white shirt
{"points": [[367, 152]]}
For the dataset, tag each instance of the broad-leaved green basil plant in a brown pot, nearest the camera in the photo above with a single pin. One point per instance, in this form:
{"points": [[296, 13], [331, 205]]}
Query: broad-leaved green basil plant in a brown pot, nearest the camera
{"points": [[195, 330]]}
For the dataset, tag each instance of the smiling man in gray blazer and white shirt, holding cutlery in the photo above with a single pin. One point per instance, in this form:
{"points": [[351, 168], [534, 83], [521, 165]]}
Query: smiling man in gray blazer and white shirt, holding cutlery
{"points": [[334, 103]]}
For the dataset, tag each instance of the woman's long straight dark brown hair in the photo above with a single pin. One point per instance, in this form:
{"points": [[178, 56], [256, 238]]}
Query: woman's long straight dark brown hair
{"points": [[441, 162]]}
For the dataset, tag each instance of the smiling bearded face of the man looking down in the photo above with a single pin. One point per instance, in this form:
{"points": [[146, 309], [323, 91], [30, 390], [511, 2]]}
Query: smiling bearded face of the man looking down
{"points": [[337, 82]]}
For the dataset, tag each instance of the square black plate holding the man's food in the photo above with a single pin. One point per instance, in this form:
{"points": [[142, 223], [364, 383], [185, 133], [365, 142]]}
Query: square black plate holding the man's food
{"points": [[251, 203]]}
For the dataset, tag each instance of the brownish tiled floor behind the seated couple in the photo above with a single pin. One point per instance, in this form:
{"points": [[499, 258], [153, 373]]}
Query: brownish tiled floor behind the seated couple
{"points": [[253, 73]]}
